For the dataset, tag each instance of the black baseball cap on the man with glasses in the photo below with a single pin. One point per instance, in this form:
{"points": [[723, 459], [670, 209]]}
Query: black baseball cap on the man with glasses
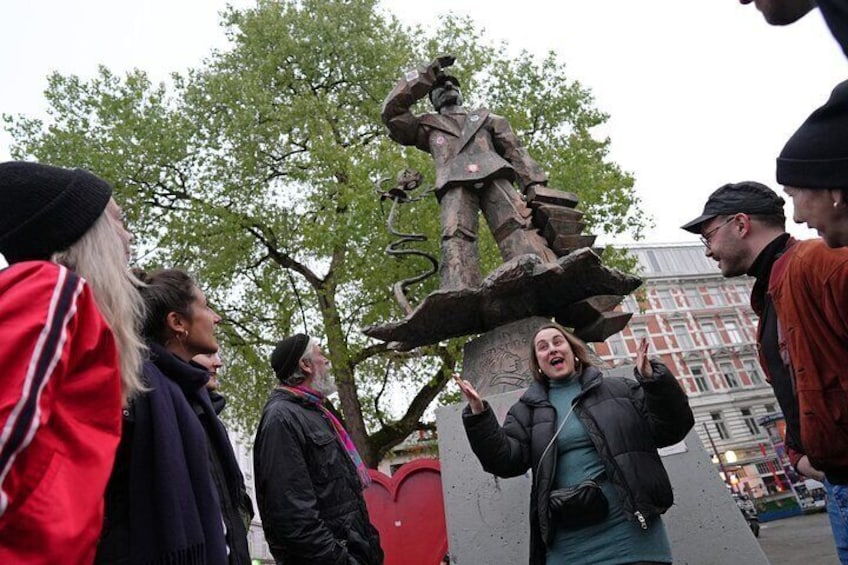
{"points": [[747, 197]]}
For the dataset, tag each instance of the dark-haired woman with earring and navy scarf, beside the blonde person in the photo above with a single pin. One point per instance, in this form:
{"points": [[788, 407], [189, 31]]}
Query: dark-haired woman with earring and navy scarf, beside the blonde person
{"points": [[176, 486]]}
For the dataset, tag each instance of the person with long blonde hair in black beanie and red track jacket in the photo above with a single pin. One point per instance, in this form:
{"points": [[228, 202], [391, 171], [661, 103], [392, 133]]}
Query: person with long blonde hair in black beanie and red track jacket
{"points": [[71, 357]]}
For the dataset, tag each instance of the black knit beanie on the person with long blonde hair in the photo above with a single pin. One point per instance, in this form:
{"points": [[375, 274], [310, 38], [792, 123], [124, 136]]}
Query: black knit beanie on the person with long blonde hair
{"points": [[46, 209]]}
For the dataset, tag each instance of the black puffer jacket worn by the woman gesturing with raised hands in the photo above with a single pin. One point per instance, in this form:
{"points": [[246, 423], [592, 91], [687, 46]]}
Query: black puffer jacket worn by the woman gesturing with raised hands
{"points": [[626, 420]]}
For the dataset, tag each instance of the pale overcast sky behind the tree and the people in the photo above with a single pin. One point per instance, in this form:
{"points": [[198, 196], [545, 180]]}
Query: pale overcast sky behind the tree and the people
{"points": [[699, 92]]}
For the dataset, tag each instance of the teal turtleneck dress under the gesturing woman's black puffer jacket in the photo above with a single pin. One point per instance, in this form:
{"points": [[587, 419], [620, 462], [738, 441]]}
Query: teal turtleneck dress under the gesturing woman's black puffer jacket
{"points": [[617, 540]]}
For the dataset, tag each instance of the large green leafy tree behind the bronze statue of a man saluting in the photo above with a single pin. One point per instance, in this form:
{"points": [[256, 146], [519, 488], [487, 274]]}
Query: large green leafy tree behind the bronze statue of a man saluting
{"points": [[256, 171]]}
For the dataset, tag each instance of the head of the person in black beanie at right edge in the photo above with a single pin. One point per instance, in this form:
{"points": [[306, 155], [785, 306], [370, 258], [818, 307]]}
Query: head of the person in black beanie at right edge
{"points": [[813, 169]]}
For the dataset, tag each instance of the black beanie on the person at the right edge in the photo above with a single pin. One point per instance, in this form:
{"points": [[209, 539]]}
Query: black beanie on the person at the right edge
{"points": [[816, 156]]}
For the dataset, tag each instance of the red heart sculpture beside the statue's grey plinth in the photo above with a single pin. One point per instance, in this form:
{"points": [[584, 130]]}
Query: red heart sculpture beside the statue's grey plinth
{"points": [[409, 512]]}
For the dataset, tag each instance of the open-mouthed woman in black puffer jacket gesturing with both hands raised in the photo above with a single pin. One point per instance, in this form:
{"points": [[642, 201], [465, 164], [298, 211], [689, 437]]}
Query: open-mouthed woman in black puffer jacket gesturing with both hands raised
{"points": [[599, 485]]}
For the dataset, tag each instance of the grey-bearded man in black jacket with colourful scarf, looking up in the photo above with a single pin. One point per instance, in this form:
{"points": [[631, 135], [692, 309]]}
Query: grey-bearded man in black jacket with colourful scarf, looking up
{"points": [[309, 475]]}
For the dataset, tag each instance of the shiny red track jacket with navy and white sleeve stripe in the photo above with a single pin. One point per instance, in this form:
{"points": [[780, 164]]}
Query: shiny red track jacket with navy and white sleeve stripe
{"points": [[60, 415]]}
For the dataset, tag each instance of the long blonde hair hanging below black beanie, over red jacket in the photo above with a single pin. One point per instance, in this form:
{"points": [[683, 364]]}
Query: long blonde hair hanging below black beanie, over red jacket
{"points": [[99, 257]]}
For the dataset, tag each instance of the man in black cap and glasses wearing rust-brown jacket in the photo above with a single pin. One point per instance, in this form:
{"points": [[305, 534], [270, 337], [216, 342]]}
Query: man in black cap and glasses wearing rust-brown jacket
{"points": [[801, 297]]}
